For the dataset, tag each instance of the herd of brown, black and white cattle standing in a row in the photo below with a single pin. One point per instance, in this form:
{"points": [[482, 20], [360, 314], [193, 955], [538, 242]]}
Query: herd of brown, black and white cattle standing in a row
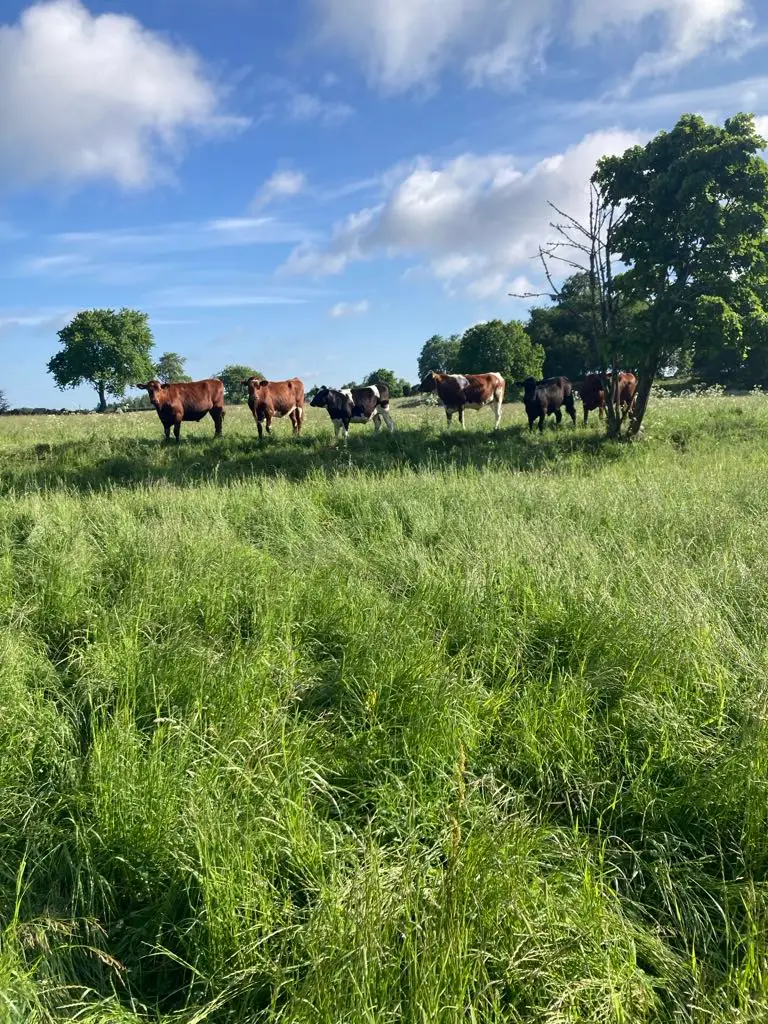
{"points": [[273, 400]]}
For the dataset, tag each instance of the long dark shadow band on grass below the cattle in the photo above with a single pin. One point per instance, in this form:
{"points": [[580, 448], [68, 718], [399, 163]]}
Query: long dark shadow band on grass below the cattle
{"points": [[90, 465]]}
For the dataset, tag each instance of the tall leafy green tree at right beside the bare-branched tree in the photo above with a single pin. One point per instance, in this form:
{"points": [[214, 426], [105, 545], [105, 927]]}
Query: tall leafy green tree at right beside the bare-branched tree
{"points": [[692, 232]]}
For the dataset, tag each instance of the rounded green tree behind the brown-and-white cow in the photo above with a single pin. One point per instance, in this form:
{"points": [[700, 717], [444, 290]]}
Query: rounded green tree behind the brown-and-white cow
{"points": [[499, 347]]}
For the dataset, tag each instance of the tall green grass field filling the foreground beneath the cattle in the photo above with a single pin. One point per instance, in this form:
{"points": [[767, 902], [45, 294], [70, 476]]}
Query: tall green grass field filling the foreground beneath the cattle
{"points": [[439, 729]]}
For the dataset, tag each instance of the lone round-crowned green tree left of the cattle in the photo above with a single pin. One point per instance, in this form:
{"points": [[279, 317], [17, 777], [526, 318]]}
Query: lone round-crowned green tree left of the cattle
{"points": [[107, 350]]}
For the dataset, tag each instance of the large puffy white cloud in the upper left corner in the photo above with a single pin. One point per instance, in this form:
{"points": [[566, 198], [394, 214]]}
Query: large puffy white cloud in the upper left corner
{"points": [[97, 97]]}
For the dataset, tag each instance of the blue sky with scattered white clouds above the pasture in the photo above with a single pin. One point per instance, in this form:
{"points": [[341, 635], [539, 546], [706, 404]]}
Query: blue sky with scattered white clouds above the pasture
{"points": [[315, 188]]}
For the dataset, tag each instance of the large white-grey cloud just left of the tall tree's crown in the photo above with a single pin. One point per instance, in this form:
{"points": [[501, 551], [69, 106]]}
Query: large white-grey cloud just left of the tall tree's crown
{"points": [[477, 221]]}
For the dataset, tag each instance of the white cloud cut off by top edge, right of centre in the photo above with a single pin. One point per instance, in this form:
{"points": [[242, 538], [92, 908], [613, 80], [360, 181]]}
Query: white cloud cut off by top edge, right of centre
{"points": [[404, 44]]}
